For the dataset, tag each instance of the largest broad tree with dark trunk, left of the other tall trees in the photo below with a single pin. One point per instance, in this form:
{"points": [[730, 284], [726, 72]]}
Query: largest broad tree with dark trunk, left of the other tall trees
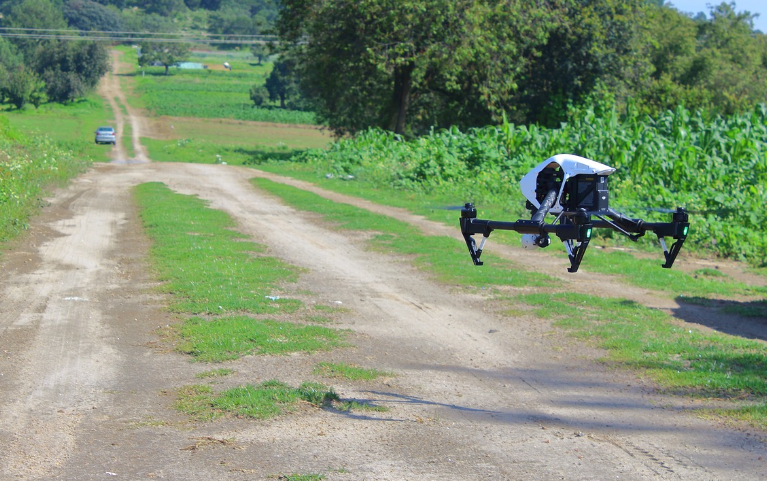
{"points": [[406, 65]]}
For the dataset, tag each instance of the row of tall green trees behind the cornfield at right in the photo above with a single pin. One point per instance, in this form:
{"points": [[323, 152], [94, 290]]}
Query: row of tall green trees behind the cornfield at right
{"points": [[411, 65]]}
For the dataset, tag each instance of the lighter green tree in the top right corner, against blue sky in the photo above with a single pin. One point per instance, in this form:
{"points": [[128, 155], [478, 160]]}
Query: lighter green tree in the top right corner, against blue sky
{"points": [[717, 64]]}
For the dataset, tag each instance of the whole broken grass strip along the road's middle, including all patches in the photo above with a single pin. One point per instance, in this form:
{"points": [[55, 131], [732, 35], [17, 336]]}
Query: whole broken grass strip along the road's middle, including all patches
{"points": [[225, 287]]}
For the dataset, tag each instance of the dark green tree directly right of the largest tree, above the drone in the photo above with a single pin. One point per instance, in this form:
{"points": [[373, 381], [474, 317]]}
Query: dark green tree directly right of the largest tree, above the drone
{"points": [[589, 44]]}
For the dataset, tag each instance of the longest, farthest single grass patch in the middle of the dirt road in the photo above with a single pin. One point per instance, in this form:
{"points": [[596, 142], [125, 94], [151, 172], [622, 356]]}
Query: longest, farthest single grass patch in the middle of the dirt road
{"points": [[207, 266]]}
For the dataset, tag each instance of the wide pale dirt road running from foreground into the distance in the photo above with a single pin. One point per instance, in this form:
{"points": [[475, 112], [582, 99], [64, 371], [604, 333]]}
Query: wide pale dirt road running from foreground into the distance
{"points": [[86, 388]]}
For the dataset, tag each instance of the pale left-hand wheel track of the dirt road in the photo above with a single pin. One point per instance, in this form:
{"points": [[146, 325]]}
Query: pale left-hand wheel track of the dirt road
{"points": [[55, 311]]}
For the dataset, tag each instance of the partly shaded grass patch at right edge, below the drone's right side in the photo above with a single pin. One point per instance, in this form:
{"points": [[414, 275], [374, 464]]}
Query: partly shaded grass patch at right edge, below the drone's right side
{"points": [[682, 360]]}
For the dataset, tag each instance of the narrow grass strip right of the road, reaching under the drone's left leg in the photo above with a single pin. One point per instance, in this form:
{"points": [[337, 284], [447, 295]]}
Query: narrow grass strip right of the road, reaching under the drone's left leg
{"points": [[444, 257]]}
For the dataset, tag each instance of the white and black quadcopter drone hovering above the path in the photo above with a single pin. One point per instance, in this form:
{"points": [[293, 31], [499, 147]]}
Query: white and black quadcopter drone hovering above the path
{"points": [[574, 189]]}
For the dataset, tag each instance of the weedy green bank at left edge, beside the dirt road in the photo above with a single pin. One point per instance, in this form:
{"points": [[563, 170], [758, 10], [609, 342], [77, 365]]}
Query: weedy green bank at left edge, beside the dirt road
{"points": [[29, 166]]}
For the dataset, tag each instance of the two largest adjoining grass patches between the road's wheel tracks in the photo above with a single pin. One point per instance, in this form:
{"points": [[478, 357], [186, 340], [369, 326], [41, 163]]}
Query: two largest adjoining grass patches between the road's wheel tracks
{"points": [[210, 269]]}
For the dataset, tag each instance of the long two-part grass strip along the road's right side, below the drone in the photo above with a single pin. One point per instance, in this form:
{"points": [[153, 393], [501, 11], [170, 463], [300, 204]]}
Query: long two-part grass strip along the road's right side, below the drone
{"points": [[682, 361]]}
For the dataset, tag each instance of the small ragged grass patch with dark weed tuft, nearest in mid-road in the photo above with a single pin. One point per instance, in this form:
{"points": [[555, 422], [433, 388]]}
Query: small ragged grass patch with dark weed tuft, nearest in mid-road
{"points": [[264, 401]]}
